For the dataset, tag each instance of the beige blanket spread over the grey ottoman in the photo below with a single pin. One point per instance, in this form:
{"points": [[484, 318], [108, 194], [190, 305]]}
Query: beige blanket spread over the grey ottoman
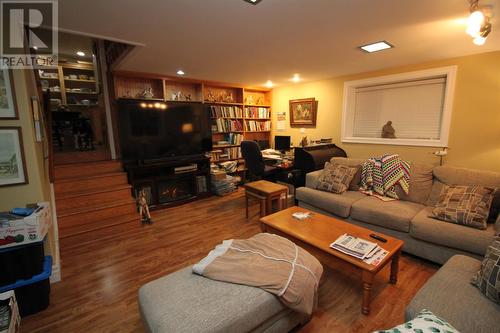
{"points": [[270, 262]]}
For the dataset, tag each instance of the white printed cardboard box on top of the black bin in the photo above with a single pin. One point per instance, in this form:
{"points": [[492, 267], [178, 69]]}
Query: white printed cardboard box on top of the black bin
{"points": [[27, 230]]}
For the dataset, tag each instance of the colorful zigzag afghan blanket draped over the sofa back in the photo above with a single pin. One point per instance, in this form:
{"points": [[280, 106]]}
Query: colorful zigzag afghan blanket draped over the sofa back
{"points": [[382, 174]]}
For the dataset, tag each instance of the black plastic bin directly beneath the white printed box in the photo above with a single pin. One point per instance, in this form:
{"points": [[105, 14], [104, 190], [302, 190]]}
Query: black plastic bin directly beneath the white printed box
{"points": [[21, 262]]}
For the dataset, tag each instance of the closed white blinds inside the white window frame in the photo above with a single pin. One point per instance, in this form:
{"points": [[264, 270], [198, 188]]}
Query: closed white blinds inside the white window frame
{"points": [[414, 107]]}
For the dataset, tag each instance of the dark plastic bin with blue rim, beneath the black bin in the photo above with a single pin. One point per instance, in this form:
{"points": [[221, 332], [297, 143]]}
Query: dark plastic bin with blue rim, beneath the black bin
{"points": [[33, 294]]}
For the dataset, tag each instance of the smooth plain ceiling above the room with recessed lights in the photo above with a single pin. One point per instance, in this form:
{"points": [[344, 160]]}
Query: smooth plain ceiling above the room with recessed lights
{"points": [[234, 41]]}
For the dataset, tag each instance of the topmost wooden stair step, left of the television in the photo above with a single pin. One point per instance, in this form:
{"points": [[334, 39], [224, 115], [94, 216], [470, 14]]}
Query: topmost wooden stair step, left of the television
{"points": [[80, 170]]}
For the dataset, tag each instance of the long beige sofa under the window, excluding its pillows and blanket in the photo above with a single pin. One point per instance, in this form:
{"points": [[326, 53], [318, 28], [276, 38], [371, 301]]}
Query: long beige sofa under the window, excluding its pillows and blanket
{"points": [[407, 218]]}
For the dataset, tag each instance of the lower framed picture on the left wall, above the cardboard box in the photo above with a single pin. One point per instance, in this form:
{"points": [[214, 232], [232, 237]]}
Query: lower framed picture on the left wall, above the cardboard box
{"points": [[12, 162]]}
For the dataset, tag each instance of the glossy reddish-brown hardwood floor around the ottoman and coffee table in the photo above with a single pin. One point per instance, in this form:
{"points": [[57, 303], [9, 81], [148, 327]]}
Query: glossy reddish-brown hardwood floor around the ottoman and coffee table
{"points": [[102, 272]]}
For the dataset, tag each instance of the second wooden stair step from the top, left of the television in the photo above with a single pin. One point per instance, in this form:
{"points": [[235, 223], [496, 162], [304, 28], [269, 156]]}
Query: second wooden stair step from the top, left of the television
{"points": [[74, 185]]}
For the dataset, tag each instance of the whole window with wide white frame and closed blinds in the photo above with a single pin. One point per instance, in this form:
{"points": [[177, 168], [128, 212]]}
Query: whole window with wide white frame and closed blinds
{"points": [[417, 105]]}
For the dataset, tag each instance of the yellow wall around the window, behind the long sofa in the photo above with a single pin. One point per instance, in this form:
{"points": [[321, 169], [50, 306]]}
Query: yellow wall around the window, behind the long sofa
{"points": [[474, 139]]}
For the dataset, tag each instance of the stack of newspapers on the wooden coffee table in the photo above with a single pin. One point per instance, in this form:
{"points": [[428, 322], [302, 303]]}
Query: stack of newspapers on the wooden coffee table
{"points": [[369, 252]]}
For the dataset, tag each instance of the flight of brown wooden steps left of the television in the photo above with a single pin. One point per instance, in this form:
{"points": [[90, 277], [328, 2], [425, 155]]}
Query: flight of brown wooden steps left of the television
{"points": [[91, 196]]}
